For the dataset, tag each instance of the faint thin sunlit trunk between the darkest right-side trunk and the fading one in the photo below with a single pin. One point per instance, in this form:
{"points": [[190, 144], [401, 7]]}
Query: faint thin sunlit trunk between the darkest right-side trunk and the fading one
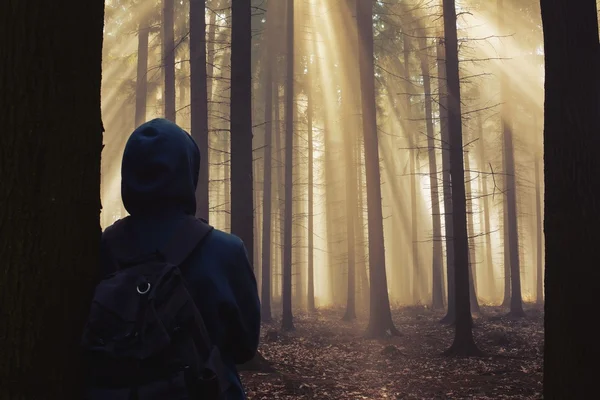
{"points": [[491, 283]]}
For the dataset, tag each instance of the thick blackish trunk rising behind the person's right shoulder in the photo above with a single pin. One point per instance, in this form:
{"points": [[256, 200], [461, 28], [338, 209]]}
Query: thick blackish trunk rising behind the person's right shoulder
{"points": [[242, 200]]}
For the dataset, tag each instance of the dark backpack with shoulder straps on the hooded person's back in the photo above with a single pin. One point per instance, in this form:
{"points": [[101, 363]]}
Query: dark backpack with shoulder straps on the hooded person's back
{"points": [[145, 338]]}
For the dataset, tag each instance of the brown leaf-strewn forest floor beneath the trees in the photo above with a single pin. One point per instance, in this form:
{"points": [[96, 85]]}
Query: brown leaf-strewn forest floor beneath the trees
{"points": [[327, 358]]}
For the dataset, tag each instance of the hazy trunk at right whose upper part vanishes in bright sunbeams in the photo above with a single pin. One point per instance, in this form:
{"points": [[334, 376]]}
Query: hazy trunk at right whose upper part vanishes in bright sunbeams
{"points": [[516, 302]]}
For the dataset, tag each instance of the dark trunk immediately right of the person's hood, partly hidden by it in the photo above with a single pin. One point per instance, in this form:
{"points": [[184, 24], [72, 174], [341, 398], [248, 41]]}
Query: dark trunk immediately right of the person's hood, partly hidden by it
{"points": [[199, 99]]}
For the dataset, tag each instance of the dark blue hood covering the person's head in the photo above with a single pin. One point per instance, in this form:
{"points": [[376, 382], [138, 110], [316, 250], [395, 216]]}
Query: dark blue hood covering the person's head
{"points": [[160, 169]]}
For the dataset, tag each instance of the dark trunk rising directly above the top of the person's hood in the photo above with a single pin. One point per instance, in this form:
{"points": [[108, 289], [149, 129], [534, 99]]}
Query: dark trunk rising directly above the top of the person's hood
{"points": [[168, 50]]}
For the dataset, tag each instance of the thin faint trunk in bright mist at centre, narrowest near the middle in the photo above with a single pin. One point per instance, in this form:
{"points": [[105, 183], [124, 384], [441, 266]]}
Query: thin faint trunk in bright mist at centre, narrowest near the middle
{"points": [[310, 233]]}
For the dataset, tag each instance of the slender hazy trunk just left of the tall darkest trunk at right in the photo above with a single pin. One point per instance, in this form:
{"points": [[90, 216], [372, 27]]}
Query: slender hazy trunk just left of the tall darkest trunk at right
{"points": [[437, 292]]}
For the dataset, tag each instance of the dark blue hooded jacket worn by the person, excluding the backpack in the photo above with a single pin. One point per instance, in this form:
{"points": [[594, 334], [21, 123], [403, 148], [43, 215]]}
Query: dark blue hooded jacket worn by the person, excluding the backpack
{"points": [[159, 176]]}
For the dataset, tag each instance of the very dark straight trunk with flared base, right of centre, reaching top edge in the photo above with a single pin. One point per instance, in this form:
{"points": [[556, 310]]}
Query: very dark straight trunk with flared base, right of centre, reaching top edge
{"points": [[463, 344]]}
